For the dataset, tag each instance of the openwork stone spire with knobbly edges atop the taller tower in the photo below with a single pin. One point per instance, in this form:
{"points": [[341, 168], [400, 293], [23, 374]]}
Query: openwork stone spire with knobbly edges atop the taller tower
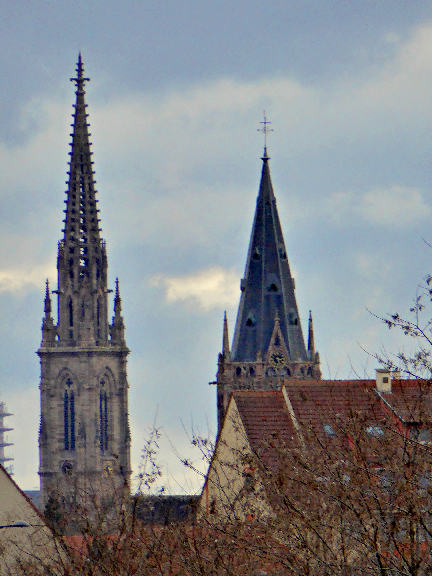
{"points": [[82, 261]]}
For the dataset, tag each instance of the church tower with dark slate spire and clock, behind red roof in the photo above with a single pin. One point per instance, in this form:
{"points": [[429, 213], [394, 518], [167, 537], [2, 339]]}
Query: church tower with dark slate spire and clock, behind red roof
{"points": [[268, 343]]}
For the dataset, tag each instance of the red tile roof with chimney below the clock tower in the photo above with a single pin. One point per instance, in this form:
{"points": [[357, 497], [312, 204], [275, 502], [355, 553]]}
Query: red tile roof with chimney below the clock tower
{"points": [[265, 414]]}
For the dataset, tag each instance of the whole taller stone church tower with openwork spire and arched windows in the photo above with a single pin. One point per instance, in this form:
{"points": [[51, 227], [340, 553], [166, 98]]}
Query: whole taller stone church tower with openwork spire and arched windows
{"points": [[84, 437]]}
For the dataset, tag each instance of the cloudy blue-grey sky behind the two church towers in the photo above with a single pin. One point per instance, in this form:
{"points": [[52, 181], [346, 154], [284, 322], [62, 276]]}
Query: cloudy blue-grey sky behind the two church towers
{"points": [[176, 95]]}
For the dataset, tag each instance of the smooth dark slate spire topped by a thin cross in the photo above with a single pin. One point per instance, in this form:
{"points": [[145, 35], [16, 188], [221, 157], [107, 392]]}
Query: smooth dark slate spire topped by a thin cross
{"points": [[267, 287]]}
